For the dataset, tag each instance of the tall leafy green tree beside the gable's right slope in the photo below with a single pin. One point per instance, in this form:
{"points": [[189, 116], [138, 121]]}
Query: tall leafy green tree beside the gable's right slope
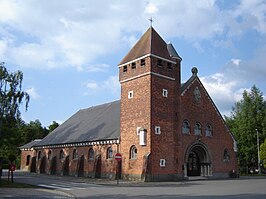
{"points": [[248, 115]]}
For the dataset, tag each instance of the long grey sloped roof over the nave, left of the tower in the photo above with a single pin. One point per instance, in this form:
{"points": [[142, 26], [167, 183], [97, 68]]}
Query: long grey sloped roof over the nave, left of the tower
{"points": [[95, 123]]}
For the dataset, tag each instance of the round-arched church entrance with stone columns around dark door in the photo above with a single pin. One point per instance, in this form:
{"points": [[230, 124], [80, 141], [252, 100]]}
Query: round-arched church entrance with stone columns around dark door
{"points": [[197, 160]]}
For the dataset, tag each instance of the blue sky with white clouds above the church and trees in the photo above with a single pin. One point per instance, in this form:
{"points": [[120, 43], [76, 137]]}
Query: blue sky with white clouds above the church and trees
{"points": [[68, 50]]}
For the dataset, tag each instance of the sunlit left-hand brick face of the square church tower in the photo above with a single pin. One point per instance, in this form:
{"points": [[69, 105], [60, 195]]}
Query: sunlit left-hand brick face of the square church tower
{"points": [[135, 113]]}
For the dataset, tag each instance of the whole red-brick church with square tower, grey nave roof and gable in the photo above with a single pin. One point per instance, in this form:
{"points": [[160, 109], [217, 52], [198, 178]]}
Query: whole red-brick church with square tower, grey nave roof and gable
{"points": [[164, 129]]}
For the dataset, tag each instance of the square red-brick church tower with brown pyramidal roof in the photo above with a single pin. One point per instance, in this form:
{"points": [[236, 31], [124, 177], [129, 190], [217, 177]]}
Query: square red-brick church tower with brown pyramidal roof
{"points": [[150, 102]]}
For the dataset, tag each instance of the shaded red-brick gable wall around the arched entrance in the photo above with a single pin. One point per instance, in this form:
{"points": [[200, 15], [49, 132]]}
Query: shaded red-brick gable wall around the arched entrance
{"points": [[205, 113]]}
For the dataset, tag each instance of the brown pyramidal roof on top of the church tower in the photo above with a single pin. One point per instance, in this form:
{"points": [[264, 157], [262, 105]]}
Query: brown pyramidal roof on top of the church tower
{"points": [[149, 43]]}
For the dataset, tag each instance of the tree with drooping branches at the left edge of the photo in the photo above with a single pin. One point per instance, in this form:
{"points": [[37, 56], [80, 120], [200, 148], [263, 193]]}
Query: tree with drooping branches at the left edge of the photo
{"points": [[11, 98]]}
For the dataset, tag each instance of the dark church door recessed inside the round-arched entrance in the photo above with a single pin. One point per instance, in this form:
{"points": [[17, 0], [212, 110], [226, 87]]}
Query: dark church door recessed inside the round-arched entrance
{"points": [[193, 166]]}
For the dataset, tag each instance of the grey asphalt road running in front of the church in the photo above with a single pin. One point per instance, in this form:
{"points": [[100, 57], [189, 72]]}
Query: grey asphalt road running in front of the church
{"points": [[243, 188]]}
